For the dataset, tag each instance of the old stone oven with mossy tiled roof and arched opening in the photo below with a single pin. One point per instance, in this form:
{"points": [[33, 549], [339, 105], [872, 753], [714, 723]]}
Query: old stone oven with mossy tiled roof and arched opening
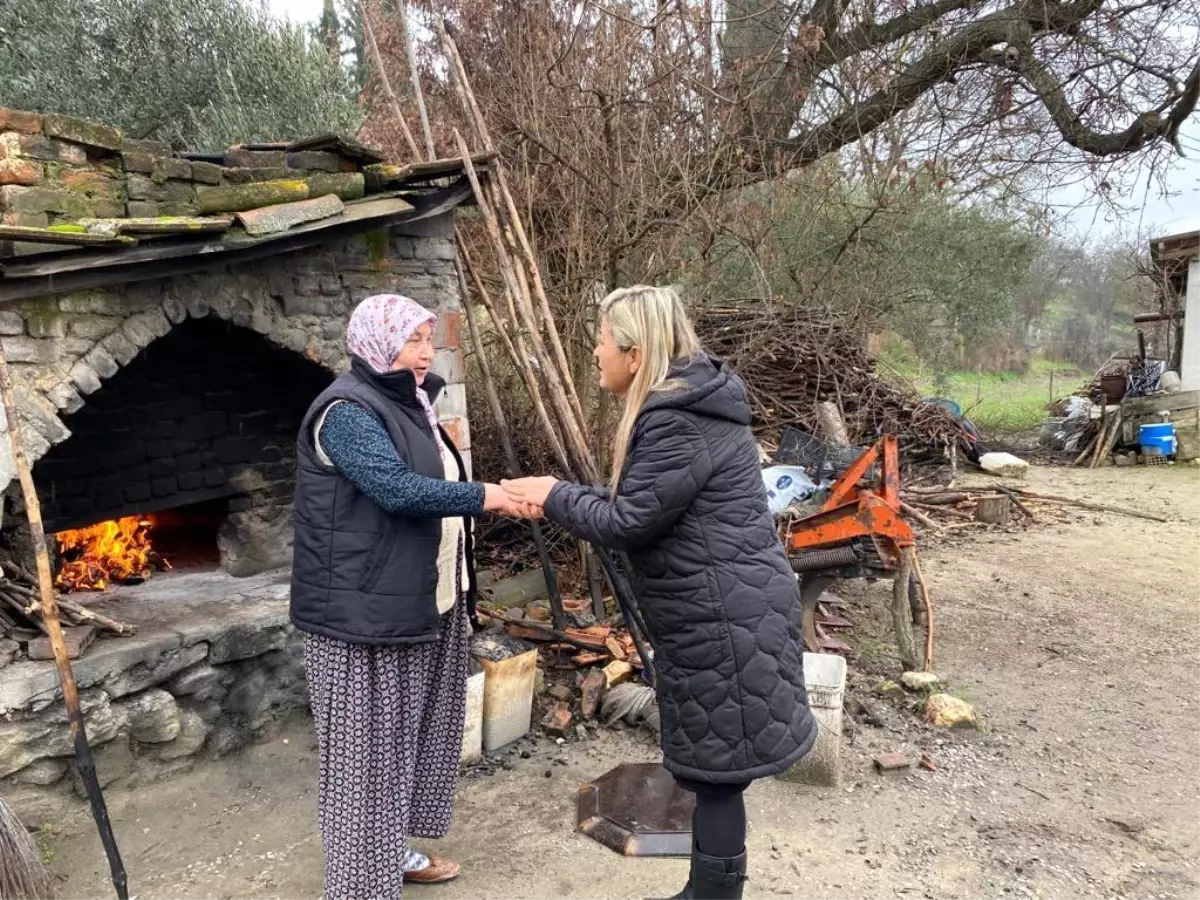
{"points": [[167, 323]]}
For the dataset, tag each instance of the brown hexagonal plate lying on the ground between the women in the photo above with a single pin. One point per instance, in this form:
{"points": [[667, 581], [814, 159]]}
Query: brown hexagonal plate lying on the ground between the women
{"points": [[638, 811]]}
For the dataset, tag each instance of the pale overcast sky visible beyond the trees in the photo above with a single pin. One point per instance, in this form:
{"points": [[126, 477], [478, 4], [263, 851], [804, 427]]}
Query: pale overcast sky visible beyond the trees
{"points": [[1156, 215]]}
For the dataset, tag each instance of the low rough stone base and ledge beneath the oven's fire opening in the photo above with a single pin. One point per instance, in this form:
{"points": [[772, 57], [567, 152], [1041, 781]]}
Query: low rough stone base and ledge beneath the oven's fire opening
{"points": [[214, 667]]}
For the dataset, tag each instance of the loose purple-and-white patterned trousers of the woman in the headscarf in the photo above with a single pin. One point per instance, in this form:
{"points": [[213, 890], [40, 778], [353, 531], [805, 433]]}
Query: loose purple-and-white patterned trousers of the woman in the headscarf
{"points": [[389, 729]]}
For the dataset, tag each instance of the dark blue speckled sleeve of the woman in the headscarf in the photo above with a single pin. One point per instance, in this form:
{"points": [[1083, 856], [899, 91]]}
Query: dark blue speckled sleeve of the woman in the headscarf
{"points": [[358, 446]]}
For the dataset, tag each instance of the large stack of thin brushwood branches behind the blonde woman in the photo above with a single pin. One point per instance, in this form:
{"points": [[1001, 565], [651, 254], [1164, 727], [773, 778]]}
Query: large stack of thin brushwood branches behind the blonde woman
{"points": [[794, 359]]}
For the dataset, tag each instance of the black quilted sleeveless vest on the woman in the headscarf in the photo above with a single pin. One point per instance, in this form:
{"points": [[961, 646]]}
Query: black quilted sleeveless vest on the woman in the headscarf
{"points": [[359, 573]]}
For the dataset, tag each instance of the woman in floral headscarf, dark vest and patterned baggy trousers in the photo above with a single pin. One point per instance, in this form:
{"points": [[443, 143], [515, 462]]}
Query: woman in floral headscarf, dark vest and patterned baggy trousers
{"points": [[381, 584]]}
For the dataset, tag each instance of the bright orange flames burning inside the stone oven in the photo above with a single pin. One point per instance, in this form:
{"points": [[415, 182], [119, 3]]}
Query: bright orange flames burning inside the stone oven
{"points": [[105, 554]]}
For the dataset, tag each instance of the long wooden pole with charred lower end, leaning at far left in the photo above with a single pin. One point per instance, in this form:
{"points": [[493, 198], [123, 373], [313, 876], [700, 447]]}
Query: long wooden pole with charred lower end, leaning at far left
{"points": [[85, 761]]}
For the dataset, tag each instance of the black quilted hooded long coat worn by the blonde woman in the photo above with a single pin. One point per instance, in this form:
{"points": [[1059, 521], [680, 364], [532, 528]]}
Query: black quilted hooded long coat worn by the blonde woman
{"points": [[717, 592]]}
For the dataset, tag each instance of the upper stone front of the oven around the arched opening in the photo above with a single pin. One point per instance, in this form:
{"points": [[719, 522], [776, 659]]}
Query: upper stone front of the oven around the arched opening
{"points": [[63, 350]]}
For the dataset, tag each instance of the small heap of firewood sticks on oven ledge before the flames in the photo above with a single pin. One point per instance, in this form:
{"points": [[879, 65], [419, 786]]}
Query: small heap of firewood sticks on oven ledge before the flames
{"points": [[21, 616]]}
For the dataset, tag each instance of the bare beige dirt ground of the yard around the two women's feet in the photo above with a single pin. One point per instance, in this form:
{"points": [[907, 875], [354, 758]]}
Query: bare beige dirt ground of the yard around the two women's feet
{"points": [[1076, 641]]}
